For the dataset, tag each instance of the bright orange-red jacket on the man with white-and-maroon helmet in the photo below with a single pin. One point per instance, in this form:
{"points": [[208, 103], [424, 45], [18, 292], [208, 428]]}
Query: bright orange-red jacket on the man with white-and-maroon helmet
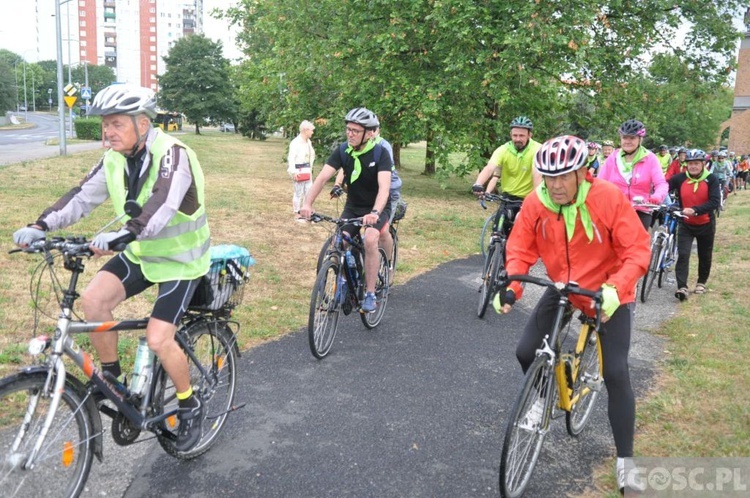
{"points": [[618, 255]]}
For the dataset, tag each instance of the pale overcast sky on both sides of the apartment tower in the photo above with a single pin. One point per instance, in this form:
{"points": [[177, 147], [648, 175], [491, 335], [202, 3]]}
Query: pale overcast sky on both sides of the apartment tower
{"points": [[18, 32]]}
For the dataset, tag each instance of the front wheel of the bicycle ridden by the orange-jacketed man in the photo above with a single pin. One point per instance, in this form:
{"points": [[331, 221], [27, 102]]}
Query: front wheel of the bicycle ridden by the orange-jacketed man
{"points": [[521, 447]]}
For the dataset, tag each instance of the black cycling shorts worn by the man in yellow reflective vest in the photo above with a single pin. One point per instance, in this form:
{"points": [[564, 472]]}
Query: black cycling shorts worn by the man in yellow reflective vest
{"points": [[173, 297]]}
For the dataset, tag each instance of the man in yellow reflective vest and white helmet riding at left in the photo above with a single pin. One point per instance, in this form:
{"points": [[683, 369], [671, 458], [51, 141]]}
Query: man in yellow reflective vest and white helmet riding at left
{"points": [[167, 244]]}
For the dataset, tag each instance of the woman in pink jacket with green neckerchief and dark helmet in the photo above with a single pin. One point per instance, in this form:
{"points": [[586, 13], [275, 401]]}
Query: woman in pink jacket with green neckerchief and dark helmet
{"points": [[635, 170]]}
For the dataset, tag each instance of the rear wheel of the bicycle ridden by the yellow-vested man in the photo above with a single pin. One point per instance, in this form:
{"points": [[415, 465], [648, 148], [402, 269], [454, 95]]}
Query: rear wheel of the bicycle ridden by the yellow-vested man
{"points": [[215, 346]]}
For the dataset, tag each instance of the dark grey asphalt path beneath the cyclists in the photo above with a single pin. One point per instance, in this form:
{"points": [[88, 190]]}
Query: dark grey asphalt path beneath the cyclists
{"points": [[416, 407]]}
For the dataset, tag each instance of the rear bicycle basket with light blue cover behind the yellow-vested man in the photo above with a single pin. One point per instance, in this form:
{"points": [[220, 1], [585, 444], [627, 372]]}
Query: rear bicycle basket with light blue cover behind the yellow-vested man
{"points": [[224, 284]]}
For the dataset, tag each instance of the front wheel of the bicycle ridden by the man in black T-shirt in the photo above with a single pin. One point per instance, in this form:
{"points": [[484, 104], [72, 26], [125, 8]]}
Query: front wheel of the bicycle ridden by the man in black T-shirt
{"points": [[324, 314]]}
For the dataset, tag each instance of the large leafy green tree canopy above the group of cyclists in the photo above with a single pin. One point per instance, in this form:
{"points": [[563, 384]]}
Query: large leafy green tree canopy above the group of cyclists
{"points": [[455, 72]]}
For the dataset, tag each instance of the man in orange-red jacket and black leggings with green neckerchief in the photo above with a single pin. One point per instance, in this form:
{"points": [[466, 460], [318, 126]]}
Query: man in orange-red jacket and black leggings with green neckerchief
{"points": [[584, 230]]}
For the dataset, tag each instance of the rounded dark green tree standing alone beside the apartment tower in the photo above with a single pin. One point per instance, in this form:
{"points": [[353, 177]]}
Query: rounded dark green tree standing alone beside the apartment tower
{"points": [[197, 82]]}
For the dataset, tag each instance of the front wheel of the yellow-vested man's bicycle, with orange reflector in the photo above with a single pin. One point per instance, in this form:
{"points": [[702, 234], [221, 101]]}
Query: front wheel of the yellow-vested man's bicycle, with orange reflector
{"points": [[63, 463]]}
